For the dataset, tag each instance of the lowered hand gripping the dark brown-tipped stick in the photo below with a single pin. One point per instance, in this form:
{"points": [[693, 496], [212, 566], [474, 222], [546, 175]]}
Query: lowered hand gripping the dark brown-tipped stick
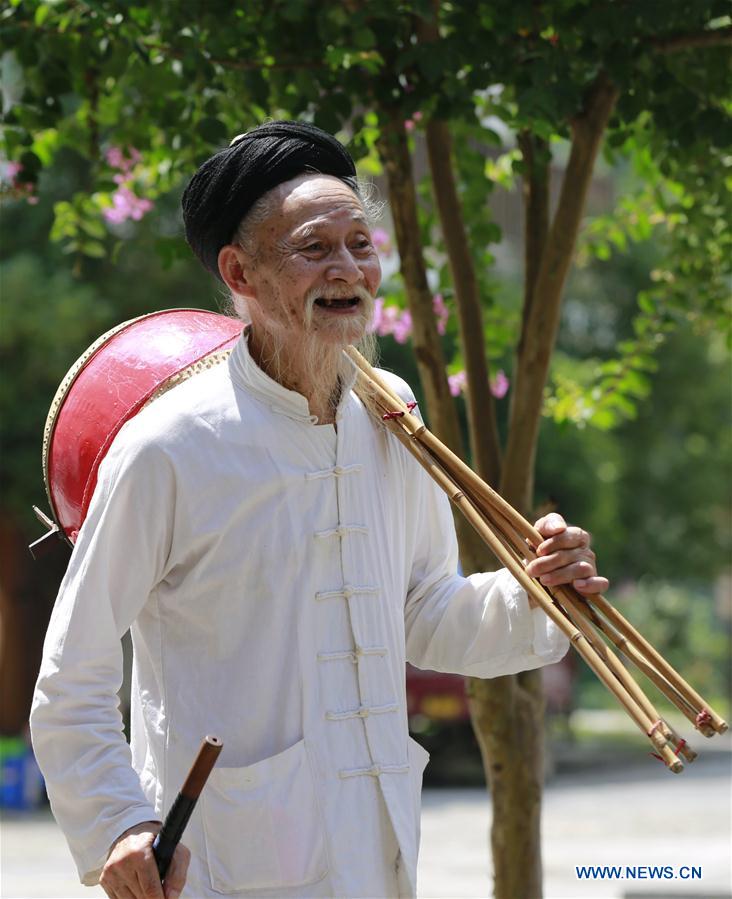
{"points": [[131, 871]]}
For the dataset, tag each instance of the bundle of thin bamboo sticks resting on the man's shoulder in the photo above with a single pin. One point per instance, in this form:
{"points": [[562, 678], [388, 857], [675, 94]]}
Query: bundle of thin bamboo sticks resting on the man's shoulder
{"points": [[582, 618]]}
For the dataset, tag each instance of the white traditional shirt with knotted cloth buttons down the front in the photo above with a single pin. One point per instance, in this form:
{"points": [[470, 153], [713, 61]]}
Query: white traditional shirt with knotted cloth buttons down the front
{"points": [[275, 574]]}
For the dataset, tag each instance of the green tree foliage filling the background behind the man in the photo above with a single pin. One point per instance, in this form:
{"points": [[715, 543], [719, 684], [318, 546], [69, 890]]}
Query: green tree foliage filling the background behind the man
{"points": [[636, 440]]}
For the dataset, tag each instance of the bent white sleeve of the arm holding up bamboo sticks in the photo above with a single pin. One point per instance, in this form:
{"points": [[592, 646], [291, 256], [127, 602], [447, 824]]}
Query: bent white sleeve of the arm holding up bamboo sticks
{"points": [[481, 625]]}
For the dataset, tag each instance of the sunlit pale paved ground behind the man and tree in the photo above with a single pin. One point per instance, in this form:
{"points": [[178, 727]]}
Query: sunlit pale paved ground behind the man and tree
{"points": [[637, 814]]}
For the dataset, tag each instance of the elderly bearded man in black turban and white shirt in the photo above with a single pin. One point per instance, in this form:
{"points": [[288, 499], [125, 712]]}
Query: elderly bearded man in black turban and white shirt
{"points": [[277, 556]]}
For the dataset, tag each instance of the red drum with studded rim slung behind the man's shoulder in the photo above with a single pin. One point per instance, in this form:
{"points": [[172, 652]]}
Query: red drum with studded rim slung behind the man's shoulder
{"points": [[121, 372]]}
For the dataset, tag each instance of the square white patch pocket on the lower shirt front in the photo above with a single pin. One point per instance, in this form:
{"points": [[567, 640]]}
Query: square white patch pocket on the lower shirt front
{"points": [[262, 824]]}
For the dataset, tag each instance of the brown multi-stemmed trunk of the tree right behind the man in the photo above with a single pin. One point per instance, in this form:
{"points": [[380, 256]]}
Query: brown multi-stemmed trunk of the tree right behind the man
{"points": [[507, 712]]}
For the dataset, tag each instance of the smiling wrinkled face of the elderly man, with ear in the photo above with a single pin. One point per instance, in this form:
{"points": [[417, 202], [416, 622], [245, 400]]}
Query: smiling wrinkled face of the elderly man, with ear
{"points": [[312, 270]]}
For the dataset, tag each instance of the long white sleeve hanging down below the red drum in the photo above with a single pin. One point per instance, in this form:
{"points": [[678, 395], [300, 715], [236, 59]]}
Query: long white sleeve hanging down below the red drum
{"points": [[76, 725]]}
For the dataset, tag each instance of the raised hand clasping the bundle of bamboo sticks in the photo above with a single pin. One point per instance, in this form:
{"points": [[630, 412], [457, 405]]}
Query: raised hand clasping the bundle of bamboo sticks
{"points": [[565, 557]]}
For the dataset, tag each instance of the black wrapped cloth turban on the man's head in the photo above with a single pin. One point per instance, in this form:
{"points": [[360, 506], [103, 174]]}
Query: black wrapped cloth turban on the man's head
{"points": [[228, 184]]}
